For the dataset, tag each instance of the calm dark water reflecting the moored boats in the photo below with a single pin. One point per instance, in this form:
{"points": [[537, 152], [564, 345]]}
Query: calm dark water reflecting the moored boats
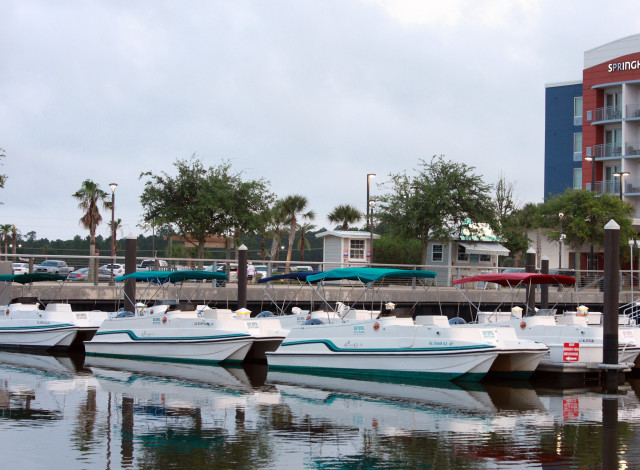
{"points": [[58, 412]]}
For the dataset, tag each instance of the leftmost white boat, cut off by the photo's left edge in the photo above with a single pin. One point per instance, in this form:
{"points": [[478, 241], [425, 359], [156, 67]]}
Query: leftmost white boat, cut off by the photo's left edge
{"points": [[26, 325]]}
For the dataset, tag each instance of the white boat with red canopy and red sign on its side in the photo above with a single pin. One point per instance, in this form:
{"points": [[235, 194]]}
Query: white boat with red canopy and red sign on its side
{"points": [[574, 346]]}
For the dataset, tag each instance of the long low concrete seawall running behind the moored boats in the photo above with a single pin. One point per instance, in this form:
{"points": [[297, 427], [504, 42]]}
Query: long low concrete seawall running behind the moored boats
{"points": [[105, 297]]}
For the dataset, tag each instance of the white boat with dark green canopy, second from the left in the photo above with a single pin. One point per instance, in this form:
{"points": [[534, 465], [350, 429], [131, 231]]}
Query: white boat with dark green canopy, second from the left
{"points": [[198, 335]]}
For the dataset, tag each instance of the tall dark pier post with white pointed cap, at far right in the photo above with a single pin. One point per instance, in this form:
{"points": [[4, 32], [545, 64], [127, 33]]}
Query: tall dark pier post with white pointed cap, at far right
{"points": [[611, 302]]}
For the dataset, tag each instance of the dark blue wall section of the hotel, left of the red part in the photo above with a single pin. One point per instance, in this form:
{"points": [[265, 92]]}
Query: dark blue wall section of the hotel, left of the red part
{"points": [[558, 138]]}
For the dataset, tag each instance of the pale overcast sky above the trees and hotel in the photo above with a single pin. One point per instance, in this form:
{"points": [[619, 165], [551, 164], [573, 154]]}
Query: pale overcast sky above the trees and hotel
{"points": [[310, 95]]}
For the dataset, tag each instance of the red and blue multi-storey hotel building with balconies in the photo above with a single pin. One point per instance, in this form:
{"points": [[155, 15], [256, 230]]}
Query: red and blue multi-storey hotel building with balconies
{"points": [[592, 127]]}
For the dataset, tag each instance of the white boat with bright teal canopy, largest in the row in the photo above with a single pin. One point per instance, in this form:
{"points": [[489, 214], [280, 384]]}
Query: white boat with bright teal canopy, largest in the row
{"points": [[389, 345]]}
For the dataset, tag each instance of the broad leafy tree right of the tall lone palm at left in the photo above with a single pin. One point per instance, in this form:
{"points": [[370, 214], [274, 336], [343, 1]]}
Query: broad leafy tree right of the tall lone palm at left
{"points": [[204, 202]]}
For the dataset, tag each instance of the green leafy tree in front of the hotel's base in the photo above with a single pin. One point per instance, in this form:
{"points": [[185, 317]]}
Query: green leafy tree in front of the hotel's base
{"points": [[584, 218]]}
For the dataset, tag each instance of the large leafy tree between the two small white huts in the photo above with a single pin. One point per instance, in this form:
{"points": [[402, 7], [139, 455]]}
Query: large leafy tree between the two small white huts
{"points": [[435, 202]]}
